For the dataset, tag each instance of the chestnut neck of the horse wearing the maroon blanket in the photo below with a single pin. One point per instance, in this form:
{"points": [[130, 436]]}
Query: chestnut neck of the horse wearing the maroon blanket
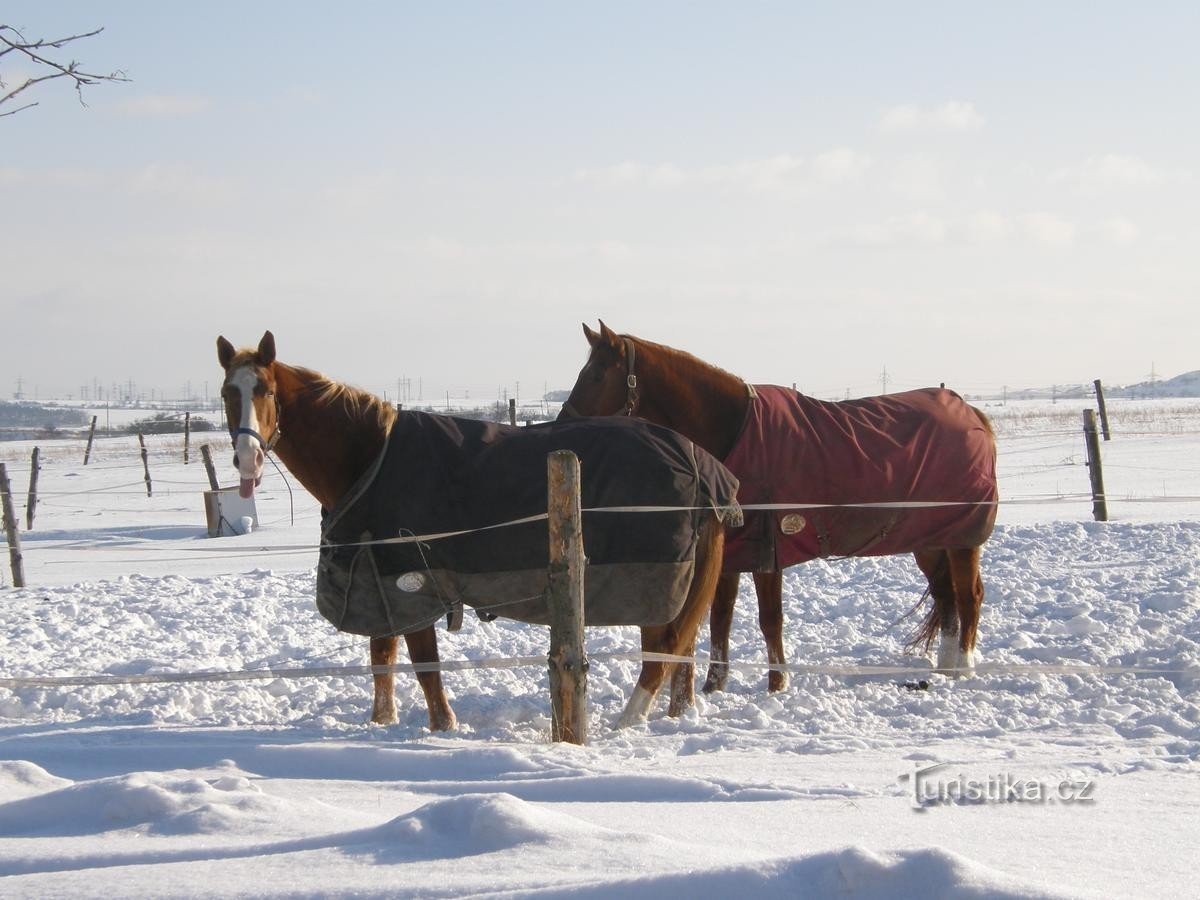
{"points": [[691, 397]]}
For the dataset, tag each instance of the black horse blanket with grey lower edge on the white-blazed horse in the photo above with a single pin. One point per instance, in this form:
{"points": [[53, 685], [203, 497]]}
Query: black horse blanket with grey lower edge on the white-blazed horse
{"points": [[403, 549]]}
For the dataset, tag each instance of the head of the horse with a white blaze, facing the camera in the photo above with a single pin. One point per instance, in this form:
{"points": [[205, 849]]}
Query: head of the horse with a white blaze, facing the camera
{"points": [[253, 412]]}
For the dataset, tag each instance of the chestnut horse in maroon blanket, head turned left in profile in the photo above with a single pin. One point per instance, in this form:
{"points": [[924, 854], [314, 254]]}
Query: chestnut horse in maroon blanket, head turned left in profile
{"points": [[733, 421]]}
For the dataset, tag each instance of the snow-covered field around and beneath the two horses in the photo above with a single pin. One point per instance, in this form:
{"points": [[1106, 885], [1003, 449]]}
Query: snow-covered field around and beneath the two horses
{"points": [[1070, 766]]}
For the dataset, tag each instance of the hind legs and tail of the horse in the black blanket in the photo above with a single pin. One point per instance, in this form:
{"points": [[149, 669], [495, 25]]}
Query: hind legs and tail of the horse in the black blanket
{"points": [[679, 637]]}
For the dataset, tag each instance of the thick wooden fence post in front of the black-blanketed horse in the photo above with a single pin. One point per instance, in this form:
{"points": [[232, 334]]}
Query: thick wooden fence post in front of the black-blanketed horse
{"points": [[565, 591]]}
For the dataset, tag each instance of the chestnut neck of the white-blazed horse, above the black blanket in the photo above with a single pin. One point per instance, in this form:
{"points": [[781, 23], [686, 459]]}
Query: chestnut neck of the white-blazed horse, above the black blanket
{"points": [[323, 442]]}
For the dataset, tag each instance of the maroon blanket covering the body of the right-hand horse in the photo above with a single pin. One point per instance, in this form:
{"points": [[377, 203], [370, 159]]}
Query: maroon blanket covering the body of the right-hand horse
{"points": [[919, 447]]}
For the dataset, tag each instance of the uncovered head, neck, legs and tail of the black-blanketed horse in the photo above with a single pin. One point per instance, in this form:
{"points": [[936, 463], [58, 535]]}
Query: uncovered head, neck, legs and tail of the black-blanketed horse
{"points": [[328, 435]]}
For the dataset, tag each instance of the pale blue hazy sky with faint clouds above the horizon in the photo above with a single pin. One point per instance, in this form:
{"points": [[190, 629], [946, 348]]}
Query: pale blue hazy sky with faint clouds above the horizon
{"points": [[429, 200]]}
